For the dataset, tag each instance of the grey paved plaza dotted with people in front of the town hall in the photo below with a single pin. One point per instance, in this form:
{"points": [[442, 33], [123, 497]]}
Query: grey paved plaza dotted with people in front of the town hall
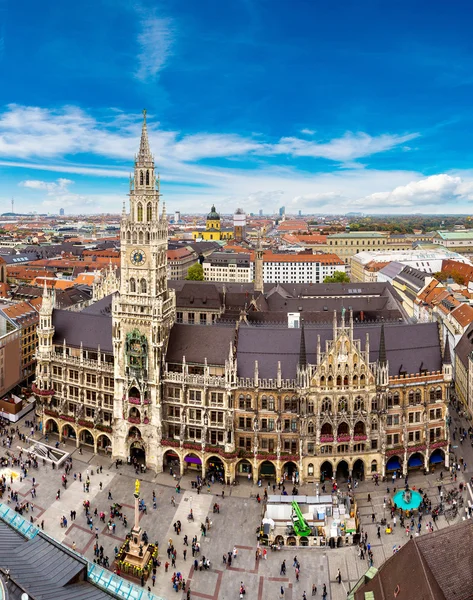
{"points": [[236, 525]]}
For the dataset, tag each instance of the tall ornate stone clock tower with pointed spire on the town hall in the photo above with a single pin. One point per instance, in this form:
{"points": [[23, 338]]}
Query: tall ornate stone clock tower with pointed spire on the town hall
{"points": [[143, 312]]}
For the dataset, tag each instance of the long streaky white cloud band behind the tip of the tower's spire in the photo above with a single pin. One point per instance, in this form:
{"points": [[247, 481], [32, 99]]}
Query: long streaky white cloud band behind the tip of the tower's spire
{"points": [[31, 132]]}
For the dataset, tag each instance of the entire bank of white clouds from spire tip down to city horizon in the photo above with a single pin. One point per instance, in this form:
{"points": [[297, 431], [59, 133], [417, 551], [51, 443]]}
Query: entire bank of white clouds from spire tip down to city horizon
{"points": [[71, 141]]}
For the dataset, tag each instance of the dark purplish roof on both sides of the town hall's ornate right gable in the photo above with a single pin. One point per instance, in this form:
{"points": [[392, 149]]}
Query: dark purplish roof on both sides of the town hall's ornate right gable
{"points": [[409, 347]]}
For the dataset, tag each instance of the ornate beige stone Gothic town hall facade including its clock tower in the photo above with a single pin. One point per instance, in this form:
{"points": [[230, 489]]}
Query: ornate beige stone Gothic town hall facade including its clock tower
{"points": [[121, 383]]}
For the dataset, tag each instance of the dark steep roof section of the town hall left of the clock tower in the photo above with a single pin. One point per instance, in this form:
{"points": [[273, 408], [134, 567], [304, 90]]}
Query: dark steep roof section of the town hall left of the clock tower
{"points": [[89, 328]]}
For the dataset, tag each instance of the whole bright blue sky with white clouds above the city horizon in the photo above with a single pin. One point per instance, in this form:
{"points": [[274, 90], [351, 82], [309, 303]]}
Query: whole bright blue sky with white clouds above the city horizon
{"points": [[327, 107]]}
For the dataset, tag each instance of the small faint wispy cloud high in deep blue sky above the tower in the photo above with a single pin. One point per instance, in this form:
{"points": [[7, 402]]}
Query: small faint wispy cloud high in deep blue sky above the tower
{"points": [[155, 41]]}
